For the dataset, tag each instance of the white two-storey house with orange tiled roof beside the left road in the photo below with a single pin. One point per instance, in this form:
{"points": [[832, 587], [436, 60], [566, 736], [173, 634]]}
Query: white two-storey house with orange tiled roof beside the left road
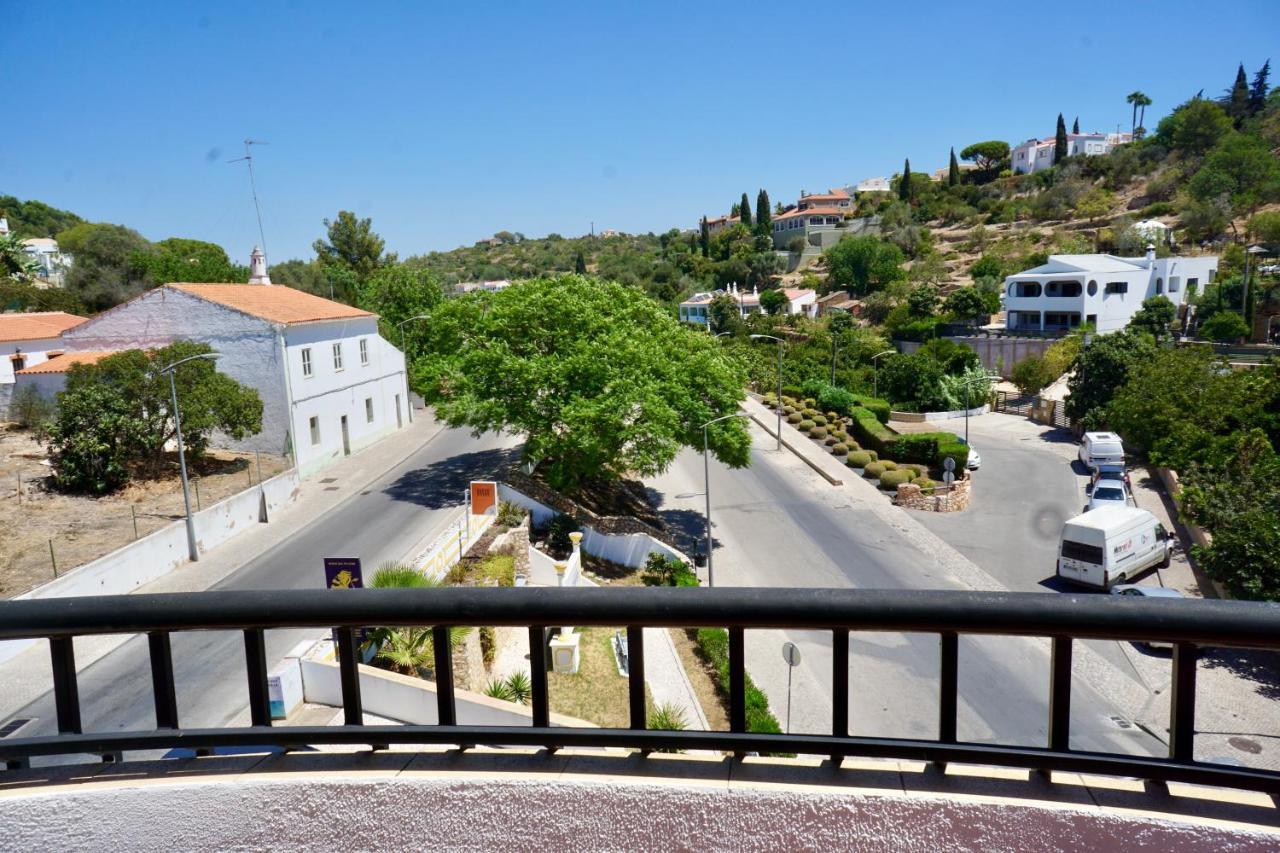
{"points": [[330, 384]]}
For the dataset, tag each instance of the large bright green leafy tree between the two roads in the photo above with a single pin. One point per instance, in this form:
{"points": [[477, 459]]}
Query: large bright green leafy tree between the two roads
{"points": [[597, 377]]}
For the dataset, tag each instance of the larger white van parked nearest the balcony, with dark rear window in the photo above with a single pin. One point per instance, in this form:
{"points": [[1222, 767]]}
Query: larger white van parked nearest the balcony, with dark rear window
{"points": [[1112, 545]]}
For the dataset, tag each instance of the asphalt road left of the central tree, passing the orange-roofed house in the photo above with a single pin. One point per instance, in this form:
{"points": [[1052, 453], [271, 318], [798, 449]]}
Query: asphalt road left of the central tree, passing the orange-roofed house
{"points": [[381, 524]]}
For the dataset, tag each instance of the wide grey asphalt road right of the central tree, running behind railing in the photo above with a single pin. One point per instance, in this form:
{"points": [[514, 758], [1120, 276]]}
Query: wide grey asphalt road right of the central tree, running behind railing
{"points": [[778, 524]]}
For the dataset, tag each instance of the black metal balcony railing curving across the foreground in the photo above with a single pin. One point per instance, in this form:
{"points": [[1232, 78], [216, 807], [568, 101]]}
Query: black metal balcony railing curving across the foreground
{"points": [[1188, 626]]}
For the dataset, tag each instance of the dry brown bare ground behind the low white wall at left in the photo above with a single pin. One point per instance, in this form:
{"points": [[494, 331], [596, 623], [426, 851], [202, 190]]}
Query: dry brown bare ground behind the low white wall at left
{"points": [[80, 528]]}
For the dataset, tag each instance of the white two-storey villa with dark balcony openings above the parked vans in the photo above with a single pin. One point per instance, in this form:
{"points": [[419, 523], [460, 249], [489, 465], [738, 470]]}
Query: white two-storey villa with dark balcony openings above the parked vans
{"points": [[1103, 290]]}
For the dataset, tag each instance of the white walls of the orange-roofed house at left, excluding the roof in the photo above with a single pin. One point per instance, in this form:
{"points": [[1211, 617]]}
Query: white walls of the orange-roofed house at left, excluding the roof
{"points": [[354, 404]]}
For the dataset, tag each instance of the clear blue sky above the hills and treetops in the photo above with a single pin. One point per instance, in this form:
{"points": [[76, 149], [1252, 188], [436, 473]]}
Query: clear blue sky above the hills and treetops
{"points": [[449, 122]]}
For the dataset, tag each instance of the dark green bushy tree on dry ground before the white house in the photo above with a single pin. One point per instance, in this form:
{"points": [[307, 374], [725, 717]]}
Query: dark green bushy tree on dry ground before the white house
{"points": [[116, 417]]}
